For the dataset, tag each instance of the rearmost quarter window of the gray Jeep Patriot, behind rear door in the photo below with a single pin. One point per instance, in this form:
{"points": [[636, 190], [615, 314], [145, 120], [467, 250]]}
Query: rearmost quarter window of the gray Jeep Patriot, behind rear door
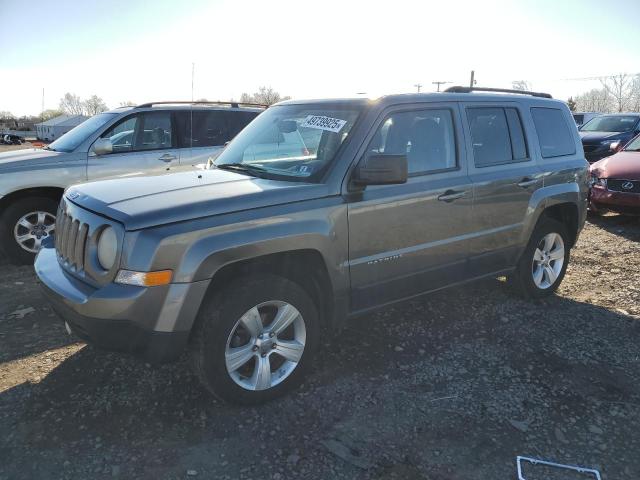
{"points": [[553, 133]]}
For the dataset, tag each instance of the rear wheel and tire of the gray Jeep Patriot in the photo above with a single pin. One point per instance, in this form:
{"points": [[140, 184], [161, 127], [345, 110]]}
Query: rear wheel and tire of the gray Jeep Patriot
{"points": [[543, 264]]}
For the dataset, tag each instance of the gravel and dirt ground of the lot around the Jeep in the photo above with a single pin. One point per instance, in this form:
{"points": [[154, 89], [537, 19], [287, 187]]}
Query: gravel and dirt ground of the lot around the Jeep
{"points": [[448, 387]]}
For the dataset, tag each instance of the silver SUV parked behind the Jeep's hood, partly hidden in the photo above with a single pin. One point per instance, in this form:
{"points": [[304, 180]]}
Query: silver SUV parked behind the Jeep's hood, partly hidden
{"points": [[148, 139]]}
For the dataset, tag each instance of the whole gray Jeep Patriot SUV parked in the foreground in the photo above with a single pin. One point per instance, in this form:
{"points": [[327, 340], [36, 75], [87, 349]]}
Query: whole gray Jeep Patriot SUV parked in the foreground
{"points": [[249, 264]]}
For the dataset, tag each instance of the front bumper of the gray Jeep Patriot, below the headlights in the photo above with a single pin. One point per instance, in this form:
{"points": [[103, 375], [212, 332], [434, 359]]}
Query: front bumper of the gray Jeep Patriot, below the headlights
{"points": [[154, 322]]}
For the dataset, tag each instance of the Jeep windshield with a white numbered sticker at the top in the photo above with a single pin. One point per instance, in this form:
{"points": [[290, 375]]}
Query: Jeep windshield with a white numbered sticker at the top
{"points": [[295, 141]]}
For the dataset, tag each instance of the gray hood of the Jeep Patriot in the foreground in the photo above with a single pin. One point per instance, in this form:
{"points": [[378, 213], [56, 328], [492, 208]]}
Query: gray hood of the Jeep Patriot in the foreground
{"points": [[143, 202]]}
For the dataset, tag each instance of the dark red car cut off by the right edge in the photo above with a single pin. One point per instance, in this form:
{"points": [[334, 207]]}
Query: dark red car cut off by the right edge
{"points": [[615, 181]]}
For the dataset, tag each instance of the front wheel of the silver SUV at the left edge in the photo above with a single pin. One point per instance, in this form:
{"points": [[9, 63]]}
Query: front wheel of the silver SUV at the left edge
{"points": [[24, 225]]}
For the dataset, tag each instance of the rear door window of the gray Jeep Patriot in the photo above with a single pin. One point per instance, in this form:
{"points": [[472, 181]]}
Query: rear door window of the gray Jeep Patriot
{"points": [[497, 136]]}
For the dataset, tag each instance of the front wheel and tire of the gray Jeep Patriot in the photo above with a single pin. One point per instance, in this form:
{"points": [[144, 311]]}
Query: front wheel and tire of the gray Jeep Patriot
{"points": [[255, 339]]}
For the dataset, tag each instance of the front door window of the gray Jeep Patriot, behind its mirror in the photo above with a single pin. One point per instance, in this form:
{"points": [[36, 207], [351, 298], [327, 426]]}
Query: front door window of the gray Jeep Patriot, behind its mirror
{"points": [[426, 137]]}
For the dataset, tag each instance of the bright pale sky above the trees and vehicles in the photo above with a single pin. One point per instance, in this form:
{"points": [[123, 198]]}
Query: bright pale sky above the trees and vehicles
{"points": [[141, 51]]}
